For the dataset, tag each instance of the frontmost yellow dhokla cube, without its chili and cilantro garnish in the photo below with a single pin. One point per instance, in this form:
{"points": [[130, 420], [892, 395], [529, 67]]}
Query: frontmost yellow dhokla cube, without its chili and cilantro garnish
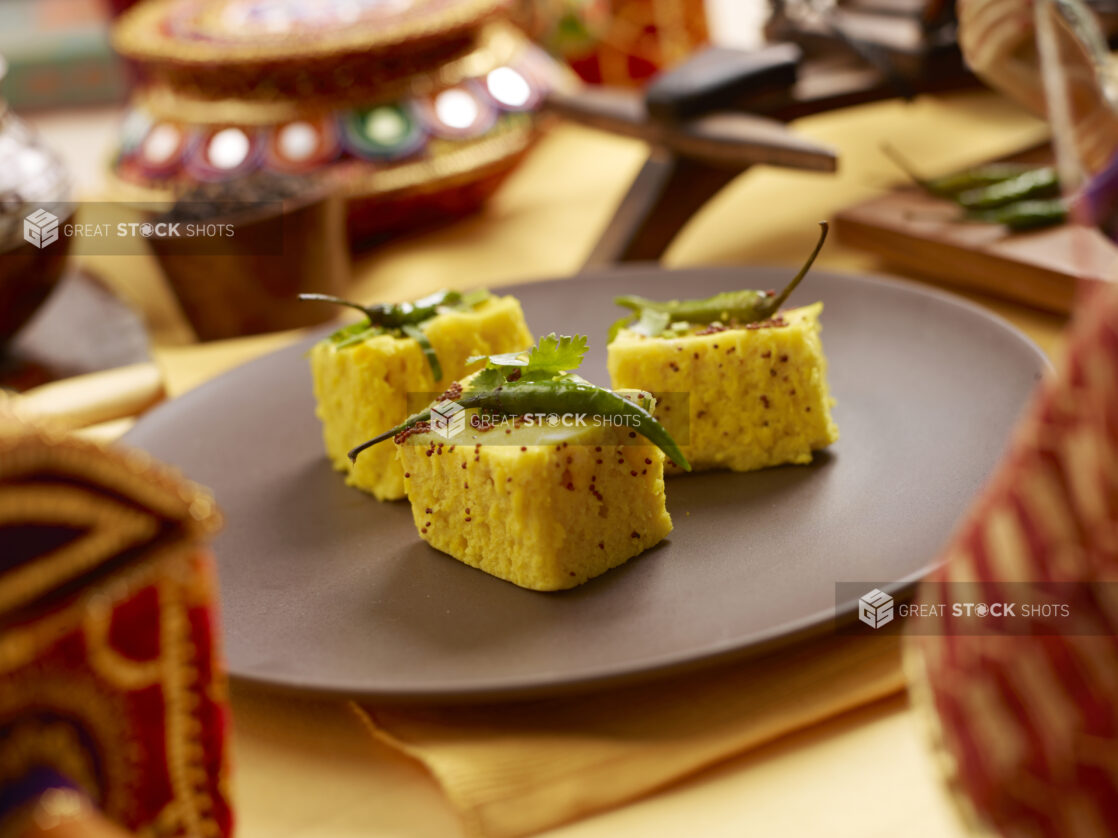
{"points": [[545, 516]]}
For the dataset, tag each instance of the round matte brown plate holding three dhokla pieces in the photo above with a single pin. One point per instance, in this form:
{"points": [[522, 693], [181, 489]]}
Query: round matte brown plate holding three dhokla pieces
{"points": [[326, 589]]}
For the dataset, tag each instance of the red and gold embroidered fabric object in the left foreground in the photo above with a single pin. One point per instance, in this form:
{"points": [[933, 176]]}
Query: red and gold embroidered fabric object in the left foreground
{"points": [[110, 679]]}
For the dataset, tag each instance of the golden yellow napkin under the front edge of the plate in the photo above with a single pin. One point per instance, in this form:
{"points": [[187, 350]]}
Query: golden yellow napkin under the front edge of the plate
{"points": [[515, 770]]}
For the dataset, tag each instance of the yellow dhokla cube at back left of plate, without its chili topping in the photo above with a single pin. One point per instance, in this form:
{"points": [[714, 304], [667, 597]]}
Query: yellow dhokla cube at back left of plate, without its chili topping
{"points": [[363, 387]]}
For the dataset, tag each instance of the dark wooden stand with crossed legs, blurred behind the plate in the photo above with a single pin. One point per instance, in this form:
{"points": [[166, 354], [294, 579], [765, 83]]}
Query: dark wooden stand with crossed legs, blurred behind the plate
{"points": [[724, 111]]}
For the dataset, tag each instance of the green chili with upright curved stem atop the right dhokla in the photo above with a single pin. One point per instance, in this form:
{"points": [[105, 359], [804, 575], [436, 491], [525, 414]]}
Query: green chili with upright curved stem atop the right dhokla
{"points": [[740, 307]]}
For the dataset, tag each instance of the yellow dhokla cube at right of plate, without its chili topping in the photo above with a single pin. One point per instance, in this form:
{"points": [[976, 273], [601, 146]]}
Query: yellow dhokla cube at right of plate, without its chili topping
{"points": [[757, 395]]}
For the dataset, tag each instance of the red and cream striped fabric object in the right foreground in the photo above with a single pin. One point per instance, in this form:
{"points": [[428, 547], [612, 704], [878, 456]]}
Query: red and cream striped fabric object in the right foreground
{"points": [[1029, 726]]}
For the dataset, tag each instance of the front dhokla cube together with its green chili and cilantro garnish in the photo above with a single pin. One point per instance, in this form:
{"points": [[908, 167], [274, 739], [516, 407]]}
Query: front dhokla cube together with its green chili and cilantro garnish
{"points": [[545, 507]]}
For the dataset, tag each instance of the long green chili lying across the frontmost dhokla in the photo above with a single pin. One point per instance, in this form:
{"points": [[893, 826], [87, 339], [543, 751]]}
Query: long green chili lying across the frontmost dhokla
{"points": [[562, 396]]}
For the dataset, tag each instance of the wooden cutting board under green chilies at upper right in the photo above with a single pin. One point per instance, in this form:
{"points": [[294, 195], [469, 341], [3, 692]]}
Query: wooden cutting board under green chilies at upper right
{"points": [[926, 236]]}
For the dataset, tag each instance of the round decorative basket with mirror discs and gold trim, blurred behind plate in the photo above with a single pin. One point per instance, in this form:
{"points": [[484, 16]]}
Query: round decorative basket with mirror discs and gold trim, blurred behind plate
{"points": [[414, 110]]}
